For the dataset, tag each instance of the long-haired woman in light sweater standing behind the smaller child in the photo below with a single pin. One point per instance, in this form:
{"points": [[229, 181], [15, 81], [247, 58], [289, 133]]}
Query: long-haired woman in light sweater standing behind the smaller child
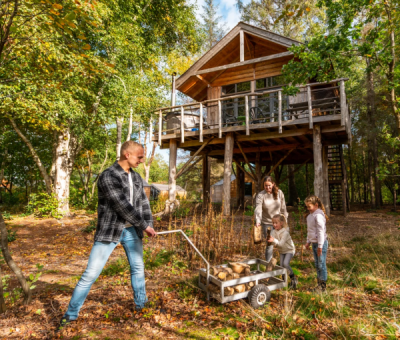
{"points": [[269, 202]]}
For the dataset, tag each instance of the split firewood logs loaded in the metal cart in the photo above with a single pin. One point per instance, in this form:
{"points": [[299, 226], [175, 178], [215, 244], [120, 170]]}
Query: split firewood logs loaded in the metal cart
{"points": [[235, 270]]}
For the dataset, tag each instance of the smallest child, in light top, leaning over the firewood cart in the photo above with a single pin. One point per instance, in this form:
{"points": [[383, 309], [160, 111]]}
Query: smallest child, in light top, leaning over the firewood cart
{"points": [[280, 237]]}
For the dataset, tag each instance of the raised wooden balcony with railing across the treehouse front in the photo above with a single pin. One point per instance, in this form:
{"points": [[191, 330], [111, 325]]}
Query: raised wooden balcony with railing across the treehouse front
{"points": [[269, 112]]}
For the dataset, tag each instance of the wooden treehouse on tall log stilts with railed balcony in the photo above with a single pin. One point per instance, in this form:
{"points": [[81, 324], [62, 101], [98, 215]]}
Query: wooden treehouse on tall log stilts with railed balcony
{"points": [[241, 116]]}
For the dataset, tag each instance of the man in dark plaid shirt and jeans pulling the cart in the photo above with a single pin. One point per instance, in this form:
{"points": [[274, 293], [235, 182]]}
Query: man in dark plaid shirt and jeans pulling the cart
{"points": [[123, 215]]}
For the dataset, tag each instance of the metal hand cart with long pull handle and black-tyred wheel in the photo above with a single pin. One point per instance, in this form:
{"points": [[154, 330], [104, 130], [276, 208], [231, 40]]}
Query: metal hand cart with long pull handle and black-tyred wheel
{"points": [[260, 294]]}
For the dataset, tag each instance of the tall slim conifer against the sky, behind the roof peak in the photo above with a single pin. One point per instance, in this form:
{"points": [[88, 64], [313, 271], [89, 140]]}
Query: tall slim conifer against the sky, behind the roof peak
{"points": [[213, 28]]}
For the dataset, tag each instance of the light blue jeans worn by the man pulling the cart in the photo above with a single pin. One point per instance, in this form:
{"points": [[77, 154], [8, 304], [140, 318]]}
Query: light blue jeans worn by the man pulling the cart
{"points": [[99, 255]]}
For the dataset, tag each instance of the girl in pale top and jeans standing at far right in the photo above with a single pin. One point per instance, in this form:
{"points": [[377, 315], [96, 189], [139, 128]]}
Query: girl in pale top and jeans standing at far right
{"points": [[316, 236]]}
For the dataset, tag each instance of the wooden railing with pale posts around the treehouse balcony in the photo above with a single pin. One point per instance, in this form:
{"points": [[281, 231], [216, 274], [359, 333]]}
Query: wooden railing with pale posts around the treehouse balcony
{"points": [[301, 108]]}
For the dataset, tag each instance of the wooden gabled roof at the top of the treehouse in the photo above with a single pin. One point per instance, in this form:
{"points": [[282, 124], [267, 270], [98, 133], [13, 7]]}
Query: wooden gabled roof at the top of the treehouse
{"points": [[225, 52]]}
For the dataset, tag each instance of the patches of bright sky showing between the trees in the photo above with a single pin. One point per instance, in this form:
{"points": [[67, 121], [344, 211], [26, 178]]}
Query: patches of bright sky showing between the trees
{"points": [[230, 15]]}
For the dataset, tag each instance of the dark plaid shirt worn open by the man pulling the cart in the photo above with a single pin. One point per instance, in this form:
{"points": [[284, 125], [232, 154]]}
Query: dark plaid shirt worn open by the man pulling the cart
{"points": [[114, 208]]}
